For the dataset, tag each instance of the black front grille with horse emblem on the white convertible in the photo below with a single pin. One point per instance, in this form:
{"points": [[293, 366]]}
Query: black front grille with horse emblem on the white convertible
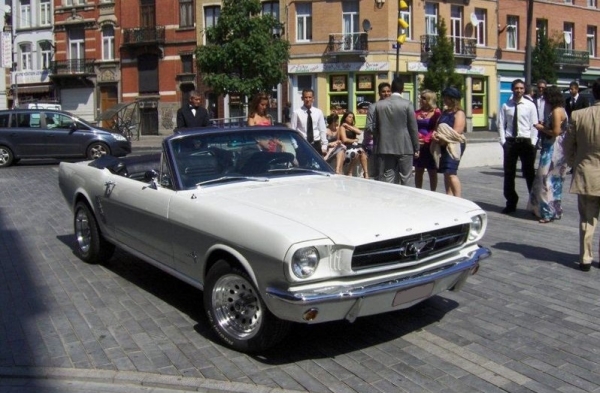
{"points": [[409, 249]]}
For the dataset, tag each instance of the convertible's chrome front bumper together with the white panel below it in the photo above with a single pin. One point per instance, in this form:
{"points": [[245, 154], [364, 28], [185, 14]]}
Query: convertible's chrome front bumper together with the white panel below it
{"points": [[331, 303]]}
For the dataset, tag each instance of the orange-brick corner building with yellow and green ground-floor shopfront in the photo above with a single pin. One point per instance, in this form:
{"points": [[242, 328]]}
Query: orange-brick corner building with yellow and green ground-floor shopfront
{"points": [[344, 49]]}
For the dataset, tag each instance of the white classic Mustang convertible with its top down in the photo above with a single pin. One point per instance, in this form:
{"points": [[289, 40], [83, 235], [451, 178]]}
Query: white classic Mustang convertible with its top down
{"points": [[258, 221]]}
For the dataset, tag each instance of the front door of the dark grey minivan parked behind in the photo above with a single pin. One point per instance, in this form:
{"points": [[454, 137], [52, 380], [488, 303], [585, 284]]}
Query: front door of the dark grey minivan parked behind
{"points": [[61, 139]]}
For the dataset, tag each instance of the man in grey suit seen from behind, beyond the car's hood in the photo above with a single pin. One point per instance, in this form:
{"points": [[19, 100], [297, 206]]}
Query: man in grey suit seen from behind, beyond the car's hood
{"points": [[395, 136]]}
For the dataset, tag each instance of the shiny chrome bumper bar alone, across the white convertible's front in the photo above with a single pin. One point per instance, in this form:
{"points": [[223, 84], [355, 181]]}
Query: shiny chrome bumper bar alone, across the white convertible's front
{"points": [[348, 293]]}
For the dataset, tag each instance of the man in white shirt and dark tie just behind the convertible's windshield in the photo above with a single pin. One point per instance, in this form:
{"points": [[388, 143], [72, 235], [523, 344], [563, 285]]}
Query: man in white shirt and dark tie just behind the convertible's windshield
{"points": [[310, 122]]}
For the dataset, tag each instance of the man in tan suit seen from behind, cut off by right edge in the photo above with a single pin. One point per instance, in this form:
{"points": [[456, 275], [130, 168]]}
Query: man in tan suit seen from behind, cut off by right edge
{"points": [[581, 146]]}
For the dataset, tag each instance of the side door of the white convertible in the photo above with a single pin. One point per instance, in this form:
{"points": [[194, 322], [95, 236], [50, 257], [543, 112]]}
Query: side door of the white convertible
{"points": [[138, 214]]}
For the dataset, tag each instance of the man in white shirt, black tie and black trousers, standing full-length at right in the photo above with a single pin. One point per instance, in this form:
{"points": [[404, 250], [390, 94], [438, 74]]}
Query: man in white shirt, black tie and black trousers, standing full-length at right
{"points": [[518, 137]]}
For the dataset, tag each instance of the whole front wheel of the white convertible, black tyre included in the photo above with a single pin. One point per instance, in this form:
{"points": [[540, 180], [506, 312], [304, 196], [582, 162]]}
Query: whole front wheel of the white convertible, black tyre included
{"points": [[236, 311]]}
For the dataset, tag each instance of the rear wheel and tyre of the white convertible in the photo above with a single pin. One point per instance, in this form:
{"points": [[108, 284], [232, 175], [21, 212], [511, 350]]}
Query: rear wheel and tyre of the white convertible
{"points": [[91, 246]]}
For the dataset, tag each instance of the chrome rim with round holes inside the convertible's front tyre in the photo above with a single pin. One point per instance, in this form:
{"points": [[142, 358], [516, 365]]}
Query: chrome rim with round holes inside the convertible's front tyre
{"points": [[236, 307]]}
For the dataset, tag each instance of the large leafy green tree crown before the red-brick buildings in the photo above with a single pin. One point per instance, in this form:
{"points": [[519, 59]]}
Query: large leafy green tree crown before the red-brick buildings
{"points": [[242, 53]]}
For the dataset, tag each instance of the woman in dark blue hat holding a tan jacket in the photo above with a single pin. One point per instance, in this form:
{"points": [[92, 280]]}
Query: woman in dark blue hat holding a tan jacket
{"points": [[450, 141]]}
